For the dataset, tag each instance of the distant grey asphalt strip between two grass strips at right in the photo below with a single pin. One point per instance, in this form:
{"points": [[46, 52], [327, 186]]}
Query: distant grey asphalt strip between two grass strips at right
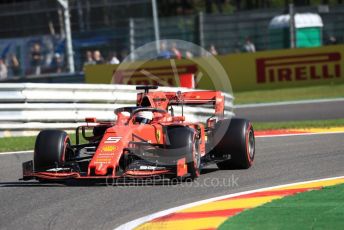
{"points": [[293, 112]]}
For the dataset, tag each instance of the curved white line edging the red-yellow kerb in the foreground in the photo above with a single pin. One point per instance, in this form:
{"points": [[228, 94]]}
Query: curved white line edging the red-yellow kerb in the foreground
{"points": [[135, 223]]}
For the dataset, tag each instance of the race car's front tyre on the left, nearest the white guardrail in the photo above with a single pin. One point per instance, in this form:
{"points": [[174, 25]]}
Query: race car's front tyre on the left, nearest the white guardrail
{"points": [[51, 149]]}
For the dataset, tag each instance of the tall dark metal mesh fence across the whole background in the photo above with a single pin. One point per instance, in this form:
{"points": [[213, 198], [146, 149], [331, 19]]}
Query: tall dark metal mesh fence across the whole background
{"points": [[118, 27]]}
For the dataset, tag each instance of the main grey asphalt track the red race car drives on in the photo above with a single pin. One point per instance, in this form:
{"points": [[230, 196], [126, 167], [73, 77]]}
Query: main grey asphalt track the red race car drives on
{"points": [[279, 160]]}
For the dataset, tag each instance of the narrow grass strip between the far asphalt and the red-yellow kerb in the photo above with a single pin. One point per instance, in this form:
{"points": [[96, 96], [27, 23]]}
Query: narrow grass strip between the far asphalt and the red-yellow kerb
{"points": [[298, 124]]}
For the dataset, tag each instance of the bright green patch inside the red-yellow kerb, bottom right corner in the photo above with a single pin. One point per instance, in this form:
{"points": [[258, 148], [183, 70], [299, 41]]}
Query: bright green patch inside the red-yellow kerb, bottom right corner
{"points": [[320, 209]]}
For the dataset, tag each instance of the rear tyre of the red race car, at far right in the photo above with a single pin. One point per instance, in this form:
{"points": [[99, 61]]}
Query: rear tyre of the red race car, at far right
{"points": [[238, 141]]}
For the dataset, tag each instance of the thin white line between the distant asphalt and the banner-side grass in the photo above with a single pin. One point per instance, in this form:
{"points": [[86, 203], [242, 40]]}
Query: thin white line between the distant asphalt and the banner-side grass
{"points": [[287, 103]]}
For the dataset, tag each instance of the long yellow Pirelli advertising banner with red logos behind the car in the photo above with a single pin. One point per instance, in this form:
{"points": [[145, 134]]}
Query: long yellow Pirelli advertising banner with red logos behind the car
{"points": [[254, 71]]}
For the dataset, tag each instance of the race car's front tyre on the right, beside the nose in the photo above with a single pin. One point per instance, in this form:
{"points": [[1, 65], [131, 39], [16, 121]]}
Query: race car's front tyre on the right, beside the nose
{"points": [[182, 141]]}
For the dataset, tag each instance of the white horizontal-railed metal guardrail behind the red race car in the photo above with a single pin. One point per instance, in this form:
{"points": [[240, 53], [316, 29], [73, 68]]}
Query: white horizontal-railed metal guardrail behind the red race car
{"points": [[30, 106]]}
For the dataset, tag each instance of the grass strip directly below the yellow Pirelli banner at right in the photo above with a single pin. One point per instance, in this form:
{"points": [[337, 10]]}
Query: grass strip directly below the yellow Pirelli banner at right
{"points": [[291, 94]]}
